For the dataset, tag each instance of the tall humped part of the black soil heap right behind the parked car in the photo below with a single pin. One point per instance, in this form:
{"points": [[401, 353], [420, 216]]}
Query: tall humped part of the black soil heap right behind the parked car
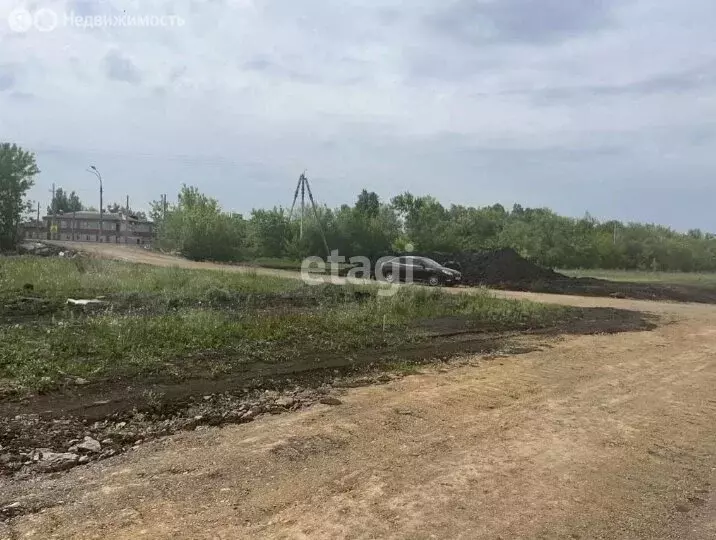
{"points": [[496, 268]]}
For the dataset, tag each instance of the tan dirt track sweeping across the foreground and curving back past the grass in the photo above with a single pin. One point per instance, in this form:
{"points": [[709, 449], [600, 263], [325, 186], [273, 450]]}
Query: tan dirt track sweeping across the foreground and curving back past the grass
{"points": [[590, 437]]}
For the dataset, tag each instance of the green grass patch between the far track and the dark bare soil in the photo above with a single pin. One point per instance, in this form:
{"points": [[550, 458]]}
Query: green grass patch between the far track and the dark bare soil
{"points": [[199, 338]]}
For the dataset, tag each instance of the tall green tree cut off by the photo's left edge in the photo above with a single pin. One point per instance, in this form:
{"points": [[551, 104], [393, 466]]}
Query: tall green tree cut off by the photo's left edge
{"points": [[17, 171]]}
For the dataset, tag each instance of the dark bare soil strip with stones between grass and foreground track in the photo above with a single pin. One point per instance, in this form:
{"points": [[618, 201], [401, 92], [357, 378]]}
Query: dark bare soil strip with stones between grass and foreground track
{"points": [[120, 414]]}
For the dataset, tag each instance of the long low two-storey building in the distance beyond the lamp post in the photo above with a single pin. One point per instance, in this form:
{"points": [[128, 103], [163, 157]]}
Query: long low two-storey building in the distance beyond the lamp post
{"points": [[117, 228]]}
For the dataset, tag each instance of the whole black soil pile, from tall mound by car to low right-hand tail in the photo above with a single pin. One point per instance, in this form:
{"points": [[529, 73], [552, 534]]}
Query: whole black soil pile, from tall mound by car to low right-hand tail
{"points": [[506, 269]]}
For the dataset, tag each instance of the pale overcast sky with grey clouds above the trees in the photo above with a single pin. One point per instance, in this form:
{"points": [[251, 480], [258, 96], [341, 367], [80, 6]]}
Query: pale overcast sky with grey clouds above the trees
{"points": [[605, 106]]}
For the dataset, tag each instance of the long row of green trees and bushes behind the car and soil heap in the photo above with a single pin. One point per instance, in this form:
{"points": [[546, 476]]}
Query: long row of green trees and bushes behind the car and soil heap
{"points": [[197, 227]]}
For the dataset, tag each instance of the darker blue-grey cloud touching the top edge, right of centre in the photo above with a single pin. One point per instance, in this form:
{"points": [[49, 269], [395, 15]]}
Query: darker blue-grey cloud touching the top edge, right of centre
{"points": [[521, 21]]}
